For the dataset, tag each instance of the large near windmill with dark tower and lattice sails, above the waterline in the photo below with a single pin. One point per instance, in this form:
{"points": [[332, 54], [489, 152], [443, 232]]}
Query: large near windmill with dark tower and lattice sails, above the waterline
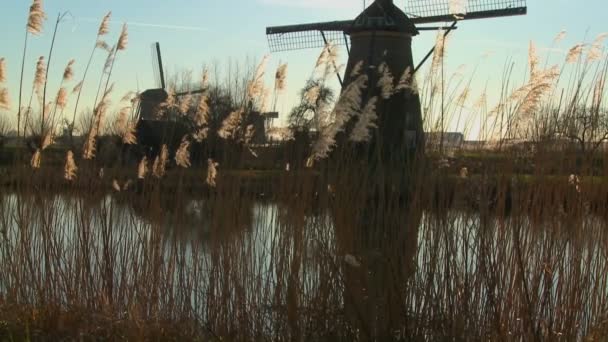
{"points": [[383, 33]]}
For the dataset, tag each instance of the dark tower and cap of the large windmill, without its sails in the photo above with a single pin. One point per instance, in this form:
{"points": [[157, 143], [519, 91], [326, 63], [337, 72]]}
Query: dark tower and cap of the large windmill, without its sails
{"points": [[383, 34]]}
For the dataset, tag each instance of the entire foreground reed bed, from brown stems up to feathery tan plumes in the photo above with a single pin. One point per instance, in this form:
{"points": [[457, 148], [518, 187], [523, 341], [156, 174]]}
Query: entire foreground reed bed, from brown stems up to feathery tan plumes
{"points": [[500, 243]]}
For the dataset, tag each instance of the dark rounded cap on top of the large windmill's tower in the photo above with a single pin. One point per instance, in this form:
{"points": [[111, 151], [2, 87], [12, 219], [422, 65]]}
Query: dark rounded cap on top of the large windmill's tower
{"points": [[383, 15]]}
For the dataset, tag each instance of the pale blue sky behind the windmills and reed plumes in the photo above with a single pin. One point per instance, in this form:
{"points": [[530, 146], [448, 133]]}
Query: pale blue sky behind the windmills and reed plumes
{"points": [[193, 33]]}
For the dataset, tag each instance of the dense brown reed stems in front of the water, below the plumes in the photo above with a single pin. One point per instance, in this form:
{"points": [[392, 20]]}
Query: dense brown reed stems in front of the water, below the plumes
{"points": [[233, 266]]}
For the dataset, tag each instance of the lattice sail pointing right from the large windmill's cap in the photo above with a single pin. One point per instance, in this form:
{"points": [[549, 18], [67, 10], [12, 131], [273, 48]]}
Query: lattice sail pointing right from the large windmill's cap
{"points": [[430, 11]]}
